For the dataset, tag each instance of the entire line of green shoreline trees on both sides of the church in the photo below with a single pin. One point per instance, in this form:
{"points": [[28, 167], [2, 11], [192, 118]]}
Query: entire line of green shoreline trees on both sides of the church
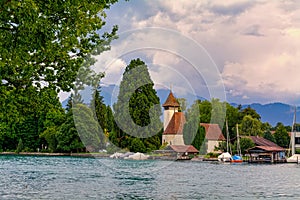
{"points": [[53, 129]]}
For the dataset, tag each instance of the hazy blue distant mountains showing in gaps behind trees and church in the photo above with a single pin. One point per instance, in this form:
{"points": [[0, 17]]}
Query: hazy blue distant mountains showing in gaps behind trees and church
{"points": [[272, 112]]}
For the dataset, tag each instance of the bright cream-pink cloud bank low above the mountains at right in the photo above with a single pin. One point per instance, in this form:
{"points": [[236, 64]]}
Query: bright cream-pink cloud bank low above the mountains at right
{"points": [[275, 78]]}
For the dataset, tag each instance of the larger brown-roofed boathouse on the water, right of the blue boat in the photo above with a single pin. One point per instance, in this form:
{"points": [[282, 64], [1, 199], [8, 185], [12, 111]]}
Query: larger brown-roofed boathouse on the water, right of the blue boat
{"points": [[265, 151]]}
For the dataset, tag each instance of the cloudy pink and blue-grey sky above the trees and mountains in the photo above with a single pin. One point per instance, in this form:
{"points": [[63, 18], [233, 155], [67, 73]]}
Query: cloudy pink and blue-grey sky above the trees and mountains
{"points": [[243, 51]]}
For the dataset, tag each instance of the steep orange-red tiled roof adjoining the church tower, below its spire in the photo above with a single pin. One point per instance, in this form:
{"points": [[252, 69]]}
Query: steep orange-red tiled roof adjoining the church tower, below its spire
{"points": [[176, 124]]}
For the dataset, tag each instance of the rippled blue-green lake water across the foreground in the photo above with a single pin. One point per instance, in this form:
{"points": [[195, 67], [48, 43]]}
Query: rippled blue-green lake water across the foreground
{"points": [[88, 178]]}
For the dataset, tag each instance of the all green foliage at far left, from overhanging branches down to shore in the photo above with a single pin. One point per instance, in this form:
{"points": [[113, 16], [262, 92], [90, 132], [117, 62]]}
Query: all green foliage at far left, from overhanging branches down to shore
{"points": [[43, 45]]}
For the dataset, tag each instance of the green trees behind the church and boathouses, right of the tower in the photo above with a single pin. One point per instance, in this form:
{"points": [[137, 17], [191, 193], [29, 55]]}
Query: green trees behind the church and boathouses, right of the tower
{"points": [[246, 120]]}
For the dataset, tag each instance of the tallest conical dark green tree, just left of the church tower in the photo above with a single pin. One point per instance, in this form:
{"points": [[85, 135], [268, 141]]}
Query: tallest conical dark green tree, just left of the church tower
{"points": [[137, 110]]}
